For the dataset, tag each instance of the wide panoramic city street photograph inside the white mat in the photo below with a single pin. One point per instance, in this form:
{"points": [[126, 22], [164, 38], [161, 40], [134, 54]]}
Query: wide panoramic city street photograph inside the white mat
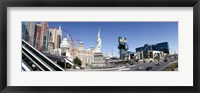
{"points": [[99, 46]]}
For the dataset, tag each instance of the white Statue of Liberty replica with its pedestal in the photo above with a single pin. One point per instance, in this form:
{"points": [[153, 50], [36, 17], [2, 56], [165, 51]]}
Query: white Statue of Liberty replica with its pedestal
{"points": [[98, 55]]}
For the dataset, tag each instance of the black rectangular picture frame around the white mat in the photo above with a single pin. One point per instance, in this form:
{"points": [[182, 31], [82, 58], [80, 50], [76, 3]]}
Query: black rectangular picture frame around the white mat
{"points": [[99, 3]]}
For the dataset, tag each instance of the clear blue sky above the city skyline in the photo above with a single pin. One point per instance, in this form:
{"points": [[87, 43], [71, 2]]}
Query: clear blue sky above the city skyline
{"points": [[137, 33]]}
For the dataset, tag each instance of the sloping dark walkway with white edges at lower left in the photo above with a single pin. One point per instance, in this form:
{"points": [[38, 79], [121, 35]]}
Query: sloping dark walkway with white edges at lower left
{"points": [[34, 60]]}
